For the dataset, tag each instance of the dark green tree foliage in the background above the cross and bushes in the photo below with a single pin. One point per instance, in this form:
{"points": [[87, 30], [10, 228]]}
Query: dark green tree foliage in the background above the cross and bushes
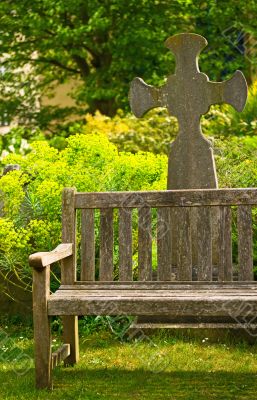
{"points": [[103, 45]]}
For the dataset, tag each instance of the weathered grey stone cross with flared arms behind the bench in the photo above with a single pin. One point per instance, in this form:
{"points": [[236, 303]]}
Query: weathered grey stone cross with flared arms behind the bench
{"points": [[188, 94]]}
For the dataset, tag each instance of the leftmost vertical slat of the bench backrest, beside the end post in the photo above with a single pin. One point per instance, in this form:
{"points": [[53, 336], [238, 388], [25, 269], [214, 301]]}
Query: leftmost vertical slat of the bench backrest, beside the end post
{"points": [[87, 245]]}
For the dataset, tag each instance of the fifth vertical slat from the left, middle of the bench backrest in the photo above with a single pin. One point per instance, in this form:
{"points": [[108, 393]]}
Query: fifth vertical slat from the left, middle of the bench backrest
{"points": [[164, 272]]}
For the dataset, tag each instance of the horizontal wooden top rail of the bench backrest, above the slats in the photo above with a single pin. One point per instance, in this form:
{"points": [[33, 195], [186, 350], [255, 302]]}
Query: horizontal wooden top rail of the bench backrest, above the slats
{"points": [[167, 198]]}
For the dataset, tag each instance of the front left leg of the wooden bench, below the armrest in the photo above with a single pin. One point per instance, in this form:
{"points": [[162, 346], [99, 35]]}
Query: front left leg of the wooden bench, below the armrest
{"points": [[42, 331]]}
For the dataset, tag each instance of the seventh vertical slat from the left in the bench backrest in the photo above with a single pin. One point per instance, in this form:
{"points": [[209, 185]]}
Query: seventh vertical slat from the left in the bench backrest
{"points": [[204, 244]]}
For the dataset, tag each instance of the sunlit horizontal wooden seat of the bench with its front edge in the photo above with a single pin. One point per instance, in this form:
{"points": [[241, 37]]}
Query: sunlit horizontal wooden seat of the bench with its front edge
{"points": [[193, 298]]}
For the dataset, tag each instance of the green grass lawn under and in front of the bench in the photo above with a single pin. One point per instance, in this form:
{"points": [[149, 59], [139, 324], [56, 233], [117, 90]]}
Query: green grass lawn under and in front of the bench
{"points": [[164, 367]]}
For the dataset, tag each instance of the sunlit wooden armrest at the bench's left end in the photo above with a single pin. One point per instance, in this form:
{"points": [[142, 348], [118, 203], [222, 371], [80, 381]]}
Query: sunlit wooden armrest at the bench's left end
{"points": [[43, 259]]}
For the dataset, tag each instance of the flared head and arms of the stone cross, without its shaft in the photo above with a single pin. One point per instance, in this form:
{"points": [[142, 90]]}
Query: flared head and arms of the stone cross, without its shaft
{"points": [[188, 93]]}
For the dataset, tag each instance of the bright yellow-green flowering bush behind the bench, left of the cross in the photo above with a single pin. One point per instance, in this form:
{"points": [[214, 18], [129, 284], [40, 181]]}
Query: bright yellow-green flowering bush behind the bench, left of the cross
{"points": [[32, 196]]}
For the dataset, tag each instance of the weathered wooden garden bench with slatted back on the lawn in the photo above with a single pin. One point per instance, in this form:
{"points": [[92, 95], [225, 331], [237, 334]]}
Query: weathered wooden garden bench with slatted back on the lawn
{"points": [[95, 292]]}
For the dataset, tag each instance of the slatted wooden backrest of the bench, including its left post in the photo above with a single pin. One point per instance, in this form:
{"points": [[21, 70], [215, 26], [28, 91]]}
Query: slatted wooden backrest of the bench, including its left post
{"points": [[193, 210]]}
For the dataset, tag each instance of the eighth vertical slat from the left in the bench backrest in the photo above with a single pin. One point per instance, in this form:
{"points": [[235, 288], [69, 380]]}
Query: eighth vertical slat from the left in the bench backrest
{"points": [[225, 267]]}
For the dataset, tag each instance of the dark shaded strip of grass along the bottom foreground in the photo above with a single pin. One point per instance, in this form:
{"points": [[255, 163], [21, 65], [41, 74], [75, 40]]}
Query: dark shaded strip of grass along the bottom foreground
{"points": [[115, 383]]}
